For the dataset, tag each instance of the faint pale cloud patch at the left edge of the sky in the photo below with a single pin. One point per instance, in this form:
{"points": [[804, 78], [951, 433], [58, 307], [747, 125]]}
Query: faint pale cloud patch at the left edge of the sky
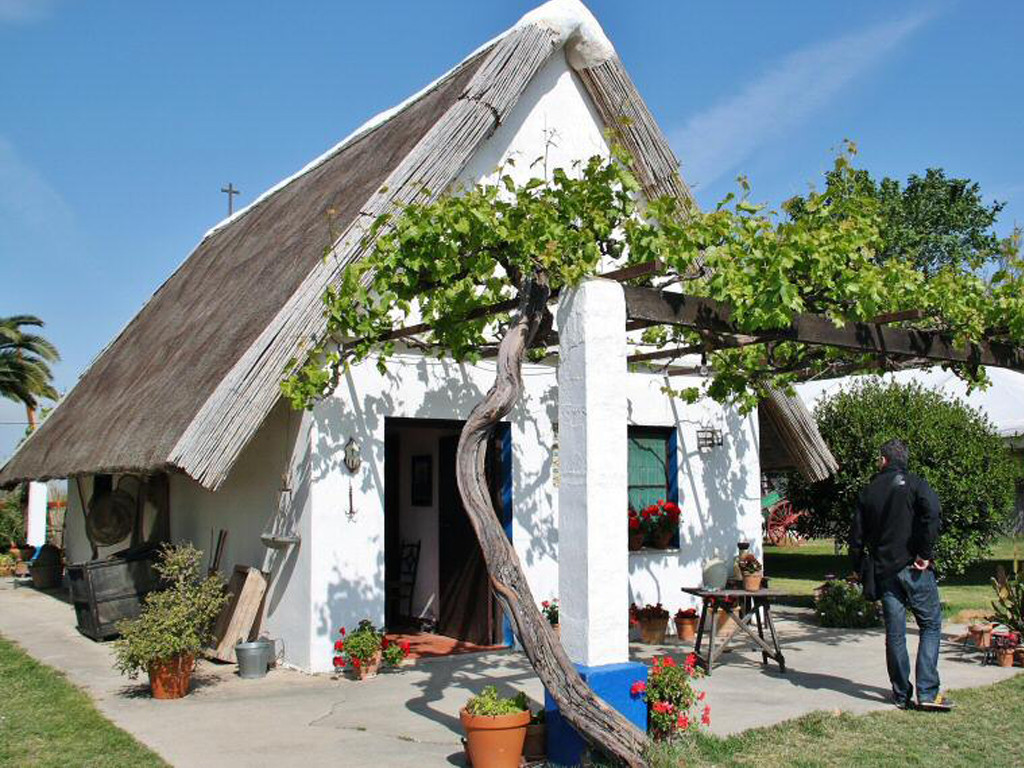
{"points": [[27, 200]]}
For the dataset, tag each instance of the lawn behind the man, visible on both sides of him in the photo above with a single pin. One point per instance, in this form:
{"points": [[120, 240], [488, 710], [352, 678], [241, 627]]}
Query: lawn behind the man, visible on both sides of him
{"points": [[799, 570]]}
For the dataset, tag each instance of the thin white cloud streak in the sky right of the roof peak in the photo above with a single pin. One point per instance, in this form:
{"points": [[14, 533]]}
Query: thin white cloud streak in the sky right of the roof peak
{"points": [[719, 140]]}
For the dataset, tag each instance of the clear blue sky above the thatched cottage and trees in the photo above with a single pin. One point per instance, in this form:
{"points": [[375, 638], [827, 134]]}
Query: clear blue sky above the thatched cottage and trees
{"points": [[120, 122]]}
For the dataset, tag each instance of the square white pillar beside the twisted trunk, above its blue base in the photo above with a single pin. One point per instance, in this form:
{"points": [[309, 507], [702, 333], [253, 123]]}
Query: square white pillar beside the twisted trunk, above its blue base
{"points": [[593, 553]]}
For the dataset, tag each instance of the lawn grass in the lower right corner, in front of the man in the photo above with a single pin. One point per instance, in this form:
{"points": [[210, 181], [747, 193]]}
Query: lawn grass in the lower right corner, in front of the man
{"points": [[984, 731]]}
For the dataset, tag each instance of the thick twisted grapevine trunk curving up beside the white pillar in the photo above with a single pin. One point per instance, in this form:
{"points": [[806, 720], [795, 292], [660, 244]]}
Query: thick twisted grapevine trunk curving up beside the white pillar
{"points": [[602, 726]]}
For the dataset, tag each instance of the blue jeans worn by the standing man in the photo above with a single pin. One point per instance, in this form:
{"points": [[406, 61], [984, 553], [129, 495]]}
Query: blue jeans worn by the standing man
{"points": [[918, 591]]}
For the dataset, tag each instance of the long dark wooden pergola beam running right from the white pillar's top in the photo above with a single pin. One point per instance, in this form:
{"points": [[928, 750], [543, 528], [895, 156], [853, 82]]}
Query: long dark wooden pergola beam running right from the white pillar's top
{"points": [[650, 306]]}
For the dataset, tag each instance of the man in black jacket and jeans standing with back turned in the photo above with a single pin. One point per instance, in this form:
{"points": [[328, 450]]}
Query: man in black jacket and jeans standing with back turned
{"points": [[892, 542]]}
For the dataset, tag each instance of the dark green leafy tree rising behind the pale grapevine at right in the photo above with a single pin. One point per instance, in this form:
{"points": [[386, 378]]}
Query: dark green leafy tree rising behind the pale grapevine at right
{"points": [[931, 221]]}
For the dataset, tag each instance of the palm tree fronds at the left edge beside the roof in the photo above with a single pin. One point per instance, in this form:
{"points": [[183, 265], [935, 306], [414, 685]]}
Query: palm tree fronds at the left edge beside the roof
{"points": [[25, 359]]}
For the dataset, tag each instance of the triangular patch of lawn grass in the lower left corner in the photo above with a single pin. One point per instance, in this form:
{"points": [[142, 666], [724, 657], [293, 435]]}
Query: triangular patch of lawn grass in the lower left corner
{"points": [[47, 722]]}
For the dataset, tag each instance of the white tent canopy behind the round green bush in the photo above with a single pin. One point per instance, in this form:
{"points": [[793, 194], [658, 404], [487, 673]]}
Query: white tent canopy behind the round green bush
{"points": [[1003, 403]]}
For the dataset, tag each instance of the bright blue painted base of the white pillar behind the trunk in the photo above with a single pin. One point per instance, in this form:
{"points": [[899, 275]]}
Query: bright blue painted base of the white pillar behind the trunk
{"points": [[612, 682]]}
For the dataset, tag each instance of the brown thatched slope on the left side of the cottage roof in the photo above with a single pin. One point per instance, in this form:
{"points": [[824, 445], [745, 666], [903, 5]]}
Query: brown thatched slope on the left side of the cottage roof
{"points": [[137, 400]]}
